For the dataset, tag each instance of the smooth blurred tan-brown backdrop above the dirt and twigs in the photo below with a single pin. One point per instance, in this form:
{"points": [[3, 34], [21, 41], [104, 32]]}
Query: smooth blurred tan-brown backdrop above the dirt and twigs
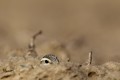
{"points": [[81, 25]]}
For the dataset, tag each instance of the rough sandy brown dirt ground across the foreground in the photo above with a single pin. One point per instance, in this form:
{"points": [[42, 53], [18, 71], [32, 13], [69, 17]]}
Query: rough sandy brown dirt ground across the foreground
{"points": [[29, 68]]}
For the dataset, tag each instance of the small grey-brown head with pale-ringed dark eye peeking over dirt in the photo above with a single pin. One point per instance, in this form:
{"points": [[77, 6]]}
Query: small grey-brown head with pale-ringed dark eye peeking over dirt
{"points": [[49, 59]]}
